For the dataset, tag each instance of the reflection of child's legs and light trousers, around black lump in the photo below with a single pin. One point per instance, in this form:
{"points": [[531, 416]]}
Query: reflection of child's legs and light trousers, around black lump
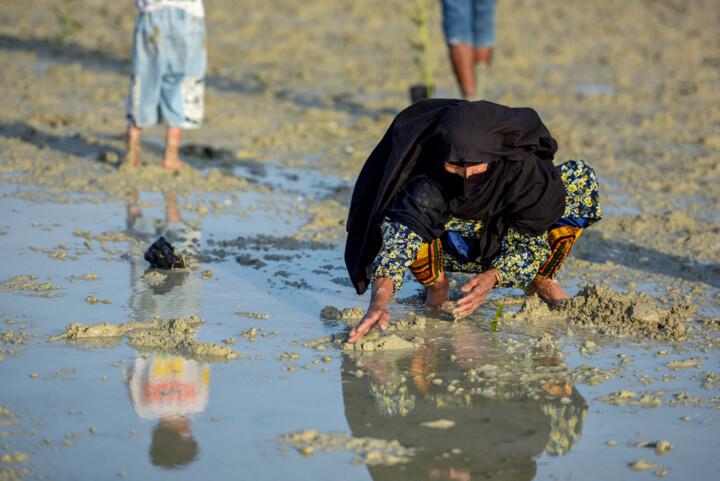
{"points": [[165, 293]]}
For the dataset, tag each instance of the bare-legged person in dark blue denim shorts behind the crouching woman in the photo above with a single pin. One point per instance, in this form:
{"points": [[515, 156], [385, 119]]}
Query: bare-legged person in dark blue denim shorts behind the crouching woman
{"points": [[469, 27]]}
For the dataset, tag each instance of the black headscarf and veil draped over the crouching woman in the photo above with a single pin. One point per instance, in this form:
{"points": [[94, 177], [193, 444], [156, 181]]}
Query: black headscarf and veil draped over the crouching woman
{"points": [[405, 179]]}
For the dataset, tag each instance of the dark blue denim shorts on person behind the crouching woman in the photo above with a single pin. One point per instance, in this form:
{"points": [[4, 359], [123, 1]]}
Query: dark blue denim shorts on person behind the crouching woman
{"points": [[469, 22]]}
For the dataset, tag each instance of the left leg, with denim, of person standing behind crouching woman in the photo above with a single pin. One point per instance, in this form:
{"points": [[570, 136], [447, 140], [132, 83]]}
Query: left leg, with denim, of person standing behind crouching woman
{"points": [[457, 26]]}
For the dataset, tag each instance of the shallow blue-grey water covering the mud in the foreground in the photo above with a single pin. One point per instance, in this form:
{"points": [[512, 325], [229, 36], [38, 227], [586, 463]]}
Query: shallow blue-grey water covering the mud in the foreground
{"points": [[524, 420]]}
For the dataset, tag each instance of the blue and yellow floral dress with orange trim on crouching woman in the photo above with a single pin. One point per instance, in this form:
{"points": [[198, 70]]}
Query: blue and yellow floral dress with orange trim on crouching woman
{"points": [[521, 257]]}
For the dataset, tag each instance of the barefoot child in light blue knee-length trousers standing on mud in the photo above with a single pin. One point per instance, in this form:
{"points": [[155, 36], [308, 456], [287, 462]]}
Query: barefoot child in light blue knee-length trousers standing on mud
{"points": [[168, 70]]}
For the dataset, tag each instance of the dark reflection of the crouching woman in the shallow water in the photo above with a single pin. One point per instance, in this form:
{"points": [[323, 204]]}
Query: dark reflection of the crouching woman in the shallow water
{"points": [[507, 408]]}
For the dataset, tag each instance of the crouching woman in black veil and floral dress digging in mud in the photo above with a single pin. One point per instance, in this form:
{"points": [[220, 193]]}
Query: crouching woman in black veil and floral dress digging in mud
{"points": [[468, 187]]}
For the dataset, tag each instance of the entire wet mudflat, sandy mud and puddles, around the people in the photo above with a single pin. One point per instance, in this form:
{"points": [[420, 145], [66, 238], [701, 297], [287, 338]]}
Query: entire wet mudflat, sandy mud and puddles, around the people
{"points": [[236, 367]]}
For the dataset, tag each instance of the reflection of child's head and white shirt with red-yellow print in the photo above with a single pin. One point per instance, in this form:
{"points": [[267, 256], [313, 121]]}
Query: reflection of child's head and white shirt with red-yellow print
{"points": [[170, 389]]}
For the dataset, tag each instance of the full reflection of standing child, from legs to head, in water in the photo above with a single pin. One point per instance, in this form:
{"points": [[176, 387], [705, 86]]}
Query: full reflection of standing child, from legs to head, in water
{"points": [[166, 386]]}
